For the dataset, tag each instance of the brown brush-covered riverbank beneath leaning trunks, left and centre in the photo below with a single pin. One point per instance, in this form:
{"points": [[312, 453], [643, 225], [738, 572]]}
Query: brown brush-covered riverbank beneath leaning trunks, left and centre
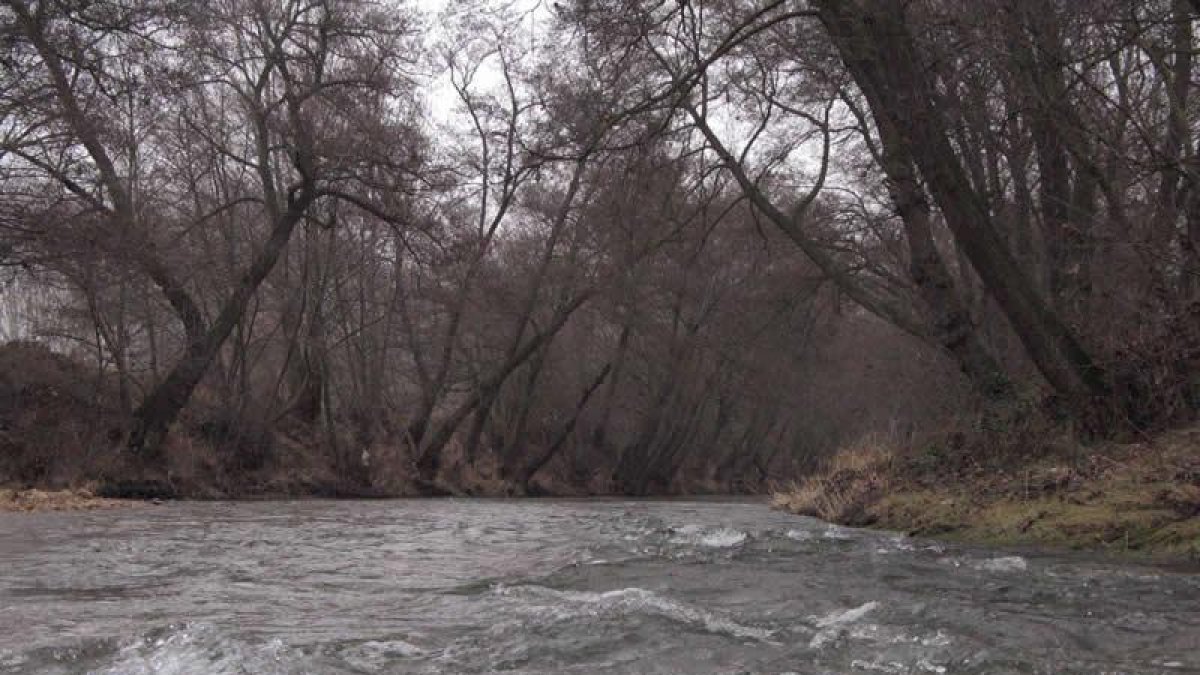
{"points": [[63, 425]]}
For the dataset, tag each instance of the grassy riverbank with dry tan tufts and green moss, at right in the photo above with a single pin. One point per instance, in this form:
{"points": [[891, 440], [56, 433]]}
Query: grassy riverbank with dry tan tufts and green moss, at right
{"points": [[1138, 499]]}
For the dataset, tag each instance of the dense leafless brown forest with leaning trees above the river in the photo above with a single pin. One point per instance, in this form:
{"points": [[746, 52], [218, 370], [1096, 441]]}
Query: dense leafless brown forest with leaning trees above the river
{"points": [[587, 247]]}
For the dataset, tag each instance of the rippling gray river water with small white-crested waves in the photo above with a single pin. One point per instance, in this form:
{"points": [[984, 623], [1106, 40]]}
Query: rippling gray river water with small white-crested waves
{"points": [[559, 587]]}
